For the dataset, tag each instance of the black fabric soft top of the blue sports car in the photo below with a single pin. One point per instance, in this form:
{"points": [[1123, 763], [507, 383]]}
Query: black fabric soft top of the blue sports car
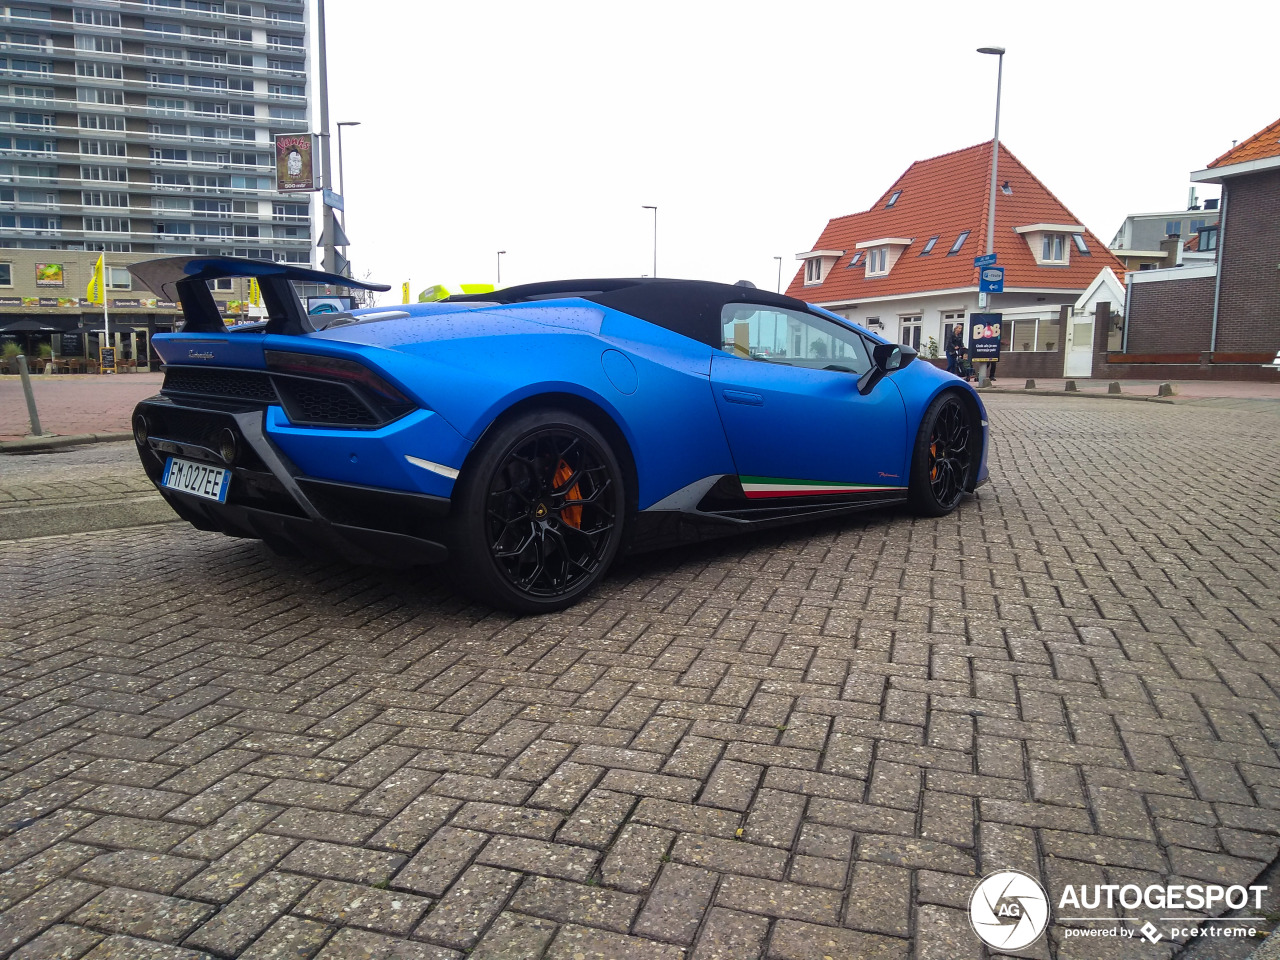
{"points": [[689, 308]]}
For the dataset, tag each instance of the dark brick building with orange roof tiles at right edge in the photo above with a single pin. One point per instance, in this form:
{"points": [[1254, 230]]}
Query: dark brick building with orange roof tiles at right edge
{"points": [[1223, 318]]}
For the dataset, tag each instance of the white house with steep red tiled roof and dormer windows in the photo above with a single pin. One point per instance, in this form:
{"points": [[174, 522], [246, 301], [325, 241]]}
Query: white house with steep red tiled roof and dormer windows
{"points": [[906, 267]]}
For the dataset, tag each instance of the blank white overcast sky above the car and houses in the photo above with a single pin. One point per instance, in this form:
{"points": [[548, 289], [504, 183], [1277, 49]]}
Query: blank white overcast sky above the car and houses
{"points": [[543, 129]]}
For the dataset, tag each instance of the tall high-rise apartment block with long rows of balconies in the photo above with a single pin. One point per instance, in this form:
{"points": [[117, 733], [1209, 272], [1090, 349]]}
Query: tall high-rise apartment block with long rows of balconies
{"points": [[147, 127]]}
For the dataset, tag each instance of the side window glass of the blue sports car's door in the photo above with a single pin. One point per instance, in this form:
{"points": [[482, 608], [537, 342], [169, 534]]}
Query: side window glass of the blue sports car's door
{"points": [[792, 337]]}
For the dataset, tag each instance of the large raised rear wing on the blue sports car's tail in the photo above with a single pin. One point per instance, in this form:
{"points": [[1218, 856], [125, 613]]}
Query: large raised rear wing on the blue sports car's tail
{"points": [[185, 280]]}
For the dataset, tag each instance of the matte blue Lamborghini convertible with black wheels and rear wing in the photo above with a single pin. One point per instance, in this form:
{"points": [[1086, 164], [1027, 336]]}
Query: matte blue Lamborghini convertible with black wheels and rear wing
{"points": [[531, 436]]}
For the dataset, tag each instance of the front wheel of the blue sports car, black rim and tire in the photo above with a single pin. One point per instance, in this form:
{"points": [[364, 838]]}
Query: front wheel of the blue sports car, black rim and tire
{"points": [[945, 456]]}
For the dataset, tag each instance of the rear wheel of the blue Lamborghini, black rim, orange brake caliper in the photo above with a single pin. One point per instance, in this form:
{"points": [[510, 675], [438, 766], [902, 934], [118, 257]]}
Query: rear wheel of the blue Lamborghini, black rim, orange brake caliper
{"points": [[538, 514]]}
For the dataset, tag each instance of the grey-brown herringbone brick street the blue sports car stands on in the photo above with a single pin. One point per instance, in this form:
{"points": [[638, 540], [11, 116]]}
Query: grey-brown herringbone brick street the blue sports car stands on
{"points": [[794, 747]]}
